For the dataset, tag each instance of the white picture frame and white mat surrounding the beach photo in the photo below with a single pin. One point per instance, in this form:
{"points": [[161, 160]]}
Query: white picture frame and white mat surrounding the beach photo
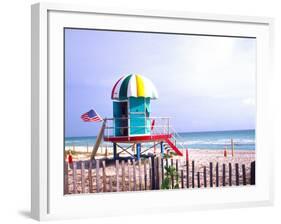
{"points": [[47, 199]]}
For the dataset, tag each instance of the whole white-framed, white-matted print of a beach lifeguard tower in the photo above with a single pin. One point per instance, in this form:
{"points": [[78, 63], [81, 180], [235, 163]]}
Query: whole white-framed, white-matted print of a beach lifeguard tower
{"points": [[168, 110]]}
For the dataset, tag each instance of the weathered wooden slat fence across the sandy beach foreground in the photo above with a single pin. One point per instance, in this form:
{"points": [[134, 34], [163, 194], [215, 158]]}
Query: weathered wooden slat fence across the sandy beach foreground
{"points": [[148, 174]]}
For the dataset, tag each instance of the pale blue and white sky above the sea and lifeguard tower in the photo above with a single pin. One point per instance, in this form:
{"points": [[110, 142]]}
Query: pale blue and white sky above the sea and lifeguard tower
{"points": [[204, 83]]}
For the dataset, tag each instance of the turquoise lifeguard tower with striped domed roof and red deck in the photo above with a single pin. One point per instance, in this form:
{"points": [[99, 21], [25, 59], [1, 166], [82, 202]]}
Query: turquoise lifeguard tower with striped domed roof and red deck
{"points": [[132, 124]]}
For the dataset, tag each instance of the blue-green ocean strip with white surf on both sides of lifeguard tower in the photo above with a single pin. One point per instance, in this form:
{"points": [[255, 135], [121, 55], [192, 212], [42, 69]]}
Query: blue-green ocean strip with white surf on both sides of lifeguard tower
{"points": [[243, 139]]}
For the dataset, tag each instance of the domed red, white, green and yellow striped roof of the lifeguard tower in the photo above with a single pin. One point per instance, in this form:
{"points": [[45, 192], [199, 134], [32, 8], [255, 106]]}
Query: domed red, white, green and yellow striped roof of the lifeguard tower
{"points": [[133, 86]]}
